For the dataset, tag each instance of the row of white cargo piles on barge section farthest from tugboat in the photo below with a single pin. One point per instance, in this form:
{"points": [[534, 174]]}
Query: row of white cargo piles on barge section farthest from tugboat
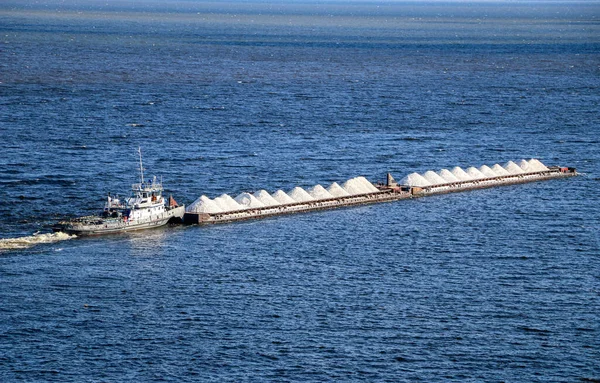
{"points": [[473, 175]]}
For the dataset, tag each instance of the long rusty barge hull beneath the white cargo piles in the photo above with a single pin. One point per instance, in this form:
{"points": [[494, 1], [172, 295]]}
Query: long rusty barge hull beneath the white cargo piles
{"points": [[387, 192]]}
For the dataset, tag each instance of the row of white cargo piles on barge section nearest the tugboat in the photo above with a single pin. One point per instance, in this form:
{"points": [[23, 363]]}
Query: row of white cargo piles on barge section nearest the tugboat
{"points": [[262, 198]]}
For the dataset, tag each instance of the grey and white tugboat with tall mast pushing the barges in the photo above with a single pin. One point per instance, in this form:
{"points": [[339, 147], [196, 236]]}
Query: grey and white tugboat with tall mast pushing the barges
{"points": [[145, 208]]}
